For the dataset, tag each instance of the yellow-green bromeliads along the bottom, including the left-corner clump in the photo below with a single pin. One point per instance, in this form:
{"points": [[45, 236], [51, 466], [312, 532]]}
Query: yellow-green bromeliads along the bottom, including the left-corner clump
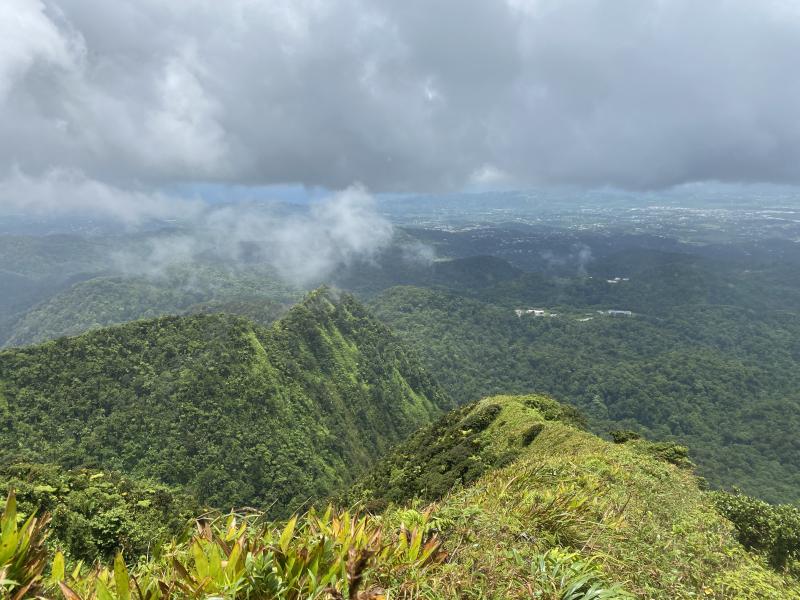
{"points": [[317, 556]]}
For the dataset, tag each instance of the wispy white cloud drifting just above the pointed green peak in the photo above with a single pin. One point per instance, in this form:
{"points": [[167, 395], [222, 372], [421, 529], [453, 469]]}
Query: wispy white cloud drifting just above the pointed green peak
{"points": [[303, 248]]}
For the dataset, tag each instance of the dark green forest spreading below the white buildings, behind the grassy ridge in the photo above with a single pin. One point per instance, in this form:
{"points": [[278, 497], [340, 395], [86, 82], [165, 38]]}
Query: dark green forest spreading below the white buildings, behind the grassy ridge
{"points": [[721, 380]]}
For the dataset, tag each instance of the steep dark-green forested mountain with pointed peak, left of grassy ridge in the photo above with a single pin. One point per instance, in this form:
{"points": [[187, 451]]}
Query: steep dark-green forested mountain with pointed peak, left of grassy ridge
{"points": [[235, 412]]}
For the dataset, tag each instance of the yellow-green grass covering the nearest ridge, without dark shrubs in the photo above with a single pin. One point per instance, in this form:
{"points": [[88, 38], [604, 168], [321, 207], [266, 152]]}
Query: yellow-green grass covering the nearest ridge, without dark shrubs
{"points": [[642, 524]]}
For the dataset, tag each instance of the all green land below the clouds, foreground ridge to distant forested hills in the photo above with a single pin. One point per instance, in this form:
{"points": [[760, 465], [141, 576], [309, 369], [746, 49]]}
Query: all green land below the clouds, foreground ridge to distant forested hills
{"points": [[114, 438]]}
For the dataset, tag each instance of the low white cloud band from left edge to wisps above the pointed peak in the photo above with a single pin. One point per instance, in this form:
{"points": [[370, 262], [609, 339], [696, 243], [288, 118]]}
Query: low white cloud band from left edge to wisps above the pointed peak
{"points": [[303, 246]]}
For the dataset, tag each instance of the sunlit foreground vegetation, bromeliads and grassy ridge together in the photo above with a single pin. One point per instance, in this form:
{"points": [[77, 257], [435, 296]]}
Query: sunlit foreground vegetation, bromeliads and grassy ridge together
{"points": [[571, 516]]}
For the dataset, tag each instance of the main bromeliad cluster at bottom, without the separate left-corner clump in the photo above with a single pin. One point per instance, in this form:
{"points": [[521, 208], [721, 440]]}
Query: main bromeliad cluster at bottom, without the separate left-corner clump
{"points": [[333, 555]]}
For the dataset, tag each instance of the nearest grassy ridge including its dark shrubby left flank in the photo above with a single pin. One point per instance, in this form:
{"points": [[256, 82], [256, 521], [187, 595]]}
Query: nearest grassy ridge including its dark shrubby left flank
{"points": [[526, 501]]}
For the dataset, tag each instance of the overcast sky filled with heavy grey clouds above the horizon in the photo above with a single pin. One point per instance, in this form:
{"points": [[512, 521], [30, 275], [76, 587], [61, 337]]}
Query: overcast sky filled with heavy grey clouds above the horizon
{"points": [[110, 107]]}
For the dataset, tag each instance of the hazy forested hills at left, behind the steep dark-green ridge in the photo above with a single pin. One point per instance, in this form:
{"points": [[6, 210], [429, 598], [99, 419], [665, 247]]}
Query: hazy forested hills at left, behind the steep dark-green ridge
{"points": [[66, 284]]}
